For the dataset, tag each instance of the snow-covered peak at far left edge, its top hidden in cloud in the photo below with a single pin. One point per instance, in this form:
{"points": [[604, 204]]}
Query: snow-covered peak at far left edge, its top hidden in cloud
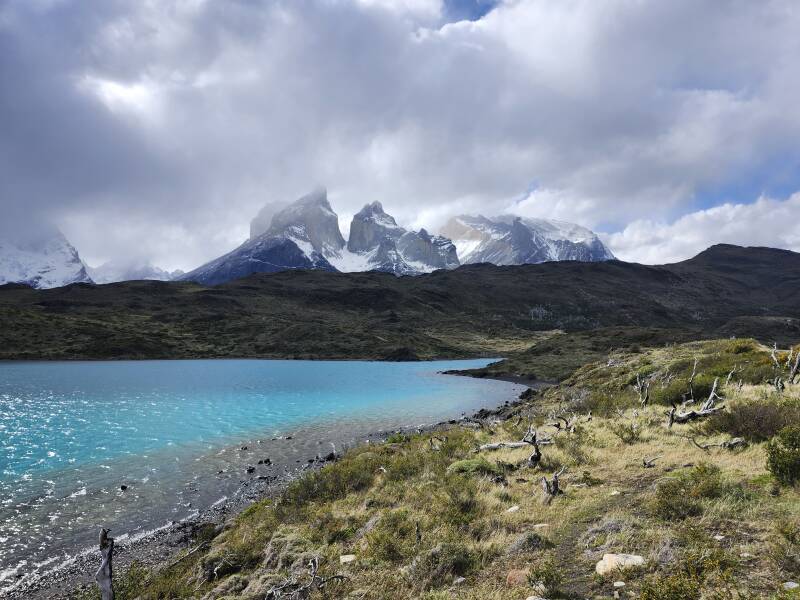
{"points": [[44, 260]]}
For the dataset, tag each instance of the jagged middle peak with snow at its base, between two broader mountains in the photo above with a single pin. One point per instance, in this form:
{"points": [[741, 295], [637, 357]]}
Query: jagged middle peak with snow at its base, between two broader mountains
{"points": [[378, 243]]}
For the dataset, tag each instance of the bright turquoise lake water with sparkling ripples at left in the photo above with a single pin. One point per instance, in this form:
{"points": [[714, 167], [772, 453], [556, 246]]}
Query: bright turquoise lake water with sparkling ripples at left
{"points": [[180, 434]]}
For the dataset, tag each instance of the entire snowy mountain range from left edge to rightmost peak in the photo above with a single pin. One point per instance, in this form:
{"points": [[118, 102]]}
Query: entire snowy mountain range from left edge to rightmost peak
{"points": [[306, 235]]}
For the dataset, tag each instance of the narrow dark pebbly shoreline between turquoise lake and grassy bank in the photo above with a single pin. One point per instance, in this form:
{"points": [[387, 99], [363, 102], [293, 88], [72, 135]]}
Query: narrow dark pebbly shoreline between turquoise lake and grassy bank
{"points": [[159, 544]]}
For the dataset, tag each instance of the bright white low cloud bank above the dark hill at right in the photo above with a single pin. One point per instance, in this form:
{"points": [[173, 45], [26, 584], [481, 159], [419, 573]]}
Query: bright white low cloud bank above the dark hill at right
{"points": [[766, 222]]}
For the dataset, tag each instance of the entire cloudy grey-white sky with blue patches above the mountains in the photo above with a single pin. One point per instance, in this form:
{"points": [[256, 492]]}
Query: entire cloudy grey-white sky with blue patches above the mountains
{"points": [[154, 130]]}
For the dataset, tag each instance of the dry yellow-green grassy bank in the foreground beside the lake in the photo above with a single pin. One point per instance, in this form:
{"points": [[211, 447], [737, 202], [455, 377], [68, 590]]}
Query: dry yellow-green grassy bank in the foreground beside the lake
{"points": [[710, 524]]}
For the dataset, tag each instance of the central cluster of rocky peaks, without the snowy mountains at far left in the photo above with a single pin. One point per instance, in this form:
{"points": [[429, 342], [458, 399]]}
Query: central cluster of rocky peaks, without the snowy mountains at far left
{"points": [[306, 235]]}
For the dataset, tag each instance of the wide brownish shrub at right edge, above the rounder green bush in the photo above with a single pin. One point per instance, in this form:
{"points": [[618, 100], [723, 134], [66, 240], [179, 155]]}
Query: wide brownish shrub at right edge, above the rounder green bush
{"points": [[754, 421]]}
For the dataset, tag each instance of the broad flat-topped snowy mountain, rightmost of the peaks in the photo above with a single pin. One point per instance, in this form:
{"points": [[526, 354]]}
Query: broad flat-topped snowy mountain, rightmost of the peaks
{"points": [[511, 240]]}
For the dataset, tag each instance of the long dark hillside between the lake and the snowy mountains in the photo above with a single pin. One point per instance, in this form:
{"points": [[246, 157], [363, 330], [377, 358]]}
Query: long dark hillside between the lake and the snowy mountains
{"points": [[474, 310]]}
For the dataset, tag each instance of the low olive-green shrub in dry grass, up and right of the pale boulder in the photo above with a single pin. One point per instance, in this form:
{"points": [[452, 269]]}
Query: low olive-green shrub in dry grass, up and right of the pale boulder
{"points": [[680, 497]]}
